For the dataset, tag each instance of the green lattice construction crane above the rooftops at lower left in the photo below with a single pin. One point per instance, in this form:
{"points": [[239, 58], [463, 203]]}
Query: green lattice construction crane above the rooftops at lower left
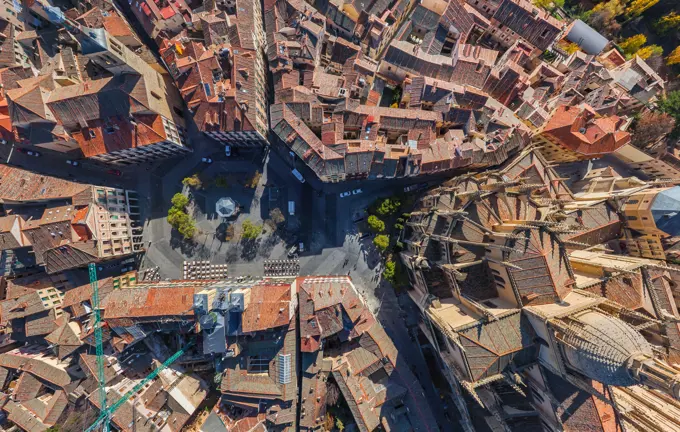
{"points": [[106, 413]]}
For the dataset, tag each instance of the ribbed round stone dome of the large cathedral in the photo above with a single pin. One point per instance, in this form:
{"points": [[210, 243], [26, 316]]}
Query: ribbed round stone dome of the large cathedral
{"points": [[600, 347]]}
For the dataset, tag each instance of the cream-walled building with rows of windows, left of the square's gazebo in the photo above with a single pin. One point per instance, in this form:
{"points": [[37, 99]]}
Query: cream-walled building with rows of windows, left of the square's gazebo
{"points": [[76, 223]]}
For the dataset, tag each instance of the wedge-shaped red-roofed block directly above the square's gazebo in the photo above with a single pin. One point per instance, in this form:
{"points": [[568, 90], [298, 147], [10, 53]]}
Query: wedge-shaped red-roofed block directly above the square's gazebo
{"points": [[224, 85]]}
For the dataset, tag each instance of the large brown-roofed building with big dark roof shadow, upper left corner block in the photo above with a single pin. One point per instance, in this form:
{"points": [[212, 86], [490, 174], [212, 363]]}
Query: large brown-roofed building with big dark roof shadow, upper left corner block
{"points": [[129, 115]]}
